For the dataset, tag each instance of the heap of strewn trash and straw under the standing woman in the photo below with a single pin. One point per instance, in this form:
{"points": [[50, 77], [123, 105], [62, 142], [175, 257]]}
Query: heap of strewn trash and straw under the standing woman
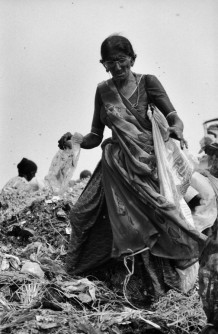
{"points": [[38, 296]]}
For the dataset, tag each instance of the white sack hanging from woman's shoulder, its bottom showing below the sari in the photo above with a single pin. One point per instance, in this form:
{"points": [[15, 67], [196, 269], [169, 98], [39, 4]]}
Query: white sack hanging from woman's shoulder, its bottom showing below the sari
{"points": [[174, 171]]}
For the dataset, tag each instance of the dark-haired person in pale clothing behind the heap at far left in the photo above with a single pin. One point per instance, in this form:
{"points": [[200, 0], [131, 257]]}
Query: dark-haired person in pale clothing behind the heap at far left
{"points": [[26, 172]]}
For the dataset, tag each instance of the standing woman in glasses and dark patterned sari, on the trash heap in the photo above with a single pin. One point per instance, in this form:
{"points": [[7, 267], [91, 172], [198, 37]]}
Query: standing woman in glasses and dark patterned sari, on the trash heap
{"points": [[122, 212]]}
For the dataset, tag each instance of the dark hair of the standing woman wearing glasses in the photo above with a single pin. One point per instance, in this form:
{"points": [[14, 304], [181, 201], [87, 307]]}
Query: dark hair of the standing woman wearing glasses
{"points": [[118, 43]]}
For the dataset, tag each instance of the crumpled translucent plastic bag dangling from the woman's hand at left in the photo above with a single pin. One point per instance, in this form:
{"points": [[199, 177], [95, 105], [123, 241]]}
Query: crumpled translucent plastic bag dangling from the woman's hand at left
{"points": [[62, 168]]}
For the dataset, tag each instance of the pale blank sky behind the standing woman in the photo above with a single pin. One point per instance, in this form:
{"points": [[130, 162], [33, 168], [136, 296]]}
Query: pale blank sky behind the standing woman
{"points": [[49, 68]]}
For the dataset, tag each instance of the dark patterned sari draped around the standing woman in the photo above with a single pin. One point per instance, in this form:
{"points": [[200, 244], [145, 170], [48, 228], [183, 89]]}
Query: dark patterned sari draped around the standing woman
{"points": [[122, 211]]}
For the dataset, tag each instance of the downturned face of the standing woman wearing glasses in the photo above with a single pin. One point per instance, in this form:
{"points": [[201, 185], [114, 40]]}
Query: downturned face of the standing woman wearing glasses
{"points": [[118, 64]]}
